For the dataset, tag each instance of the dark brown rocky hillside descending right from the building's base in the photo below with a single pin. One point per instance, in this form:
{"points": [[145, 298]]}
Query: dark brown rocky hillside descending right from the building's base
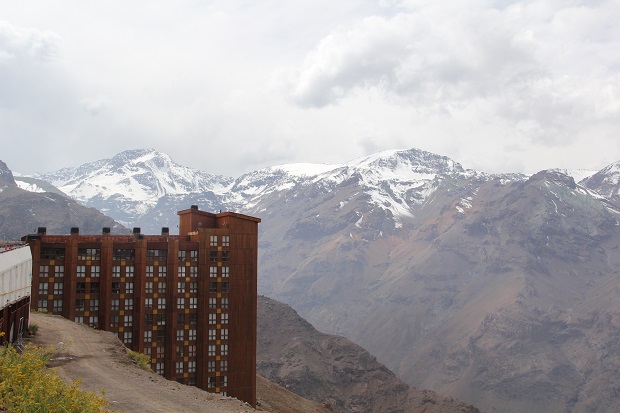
{"points": [[333, 370]]}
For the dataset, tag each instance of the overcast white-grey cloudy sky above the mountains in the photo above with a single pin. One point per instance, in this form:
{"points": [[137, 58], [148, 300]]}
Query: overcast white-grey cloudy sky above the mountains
{"points": [[235, 85]]}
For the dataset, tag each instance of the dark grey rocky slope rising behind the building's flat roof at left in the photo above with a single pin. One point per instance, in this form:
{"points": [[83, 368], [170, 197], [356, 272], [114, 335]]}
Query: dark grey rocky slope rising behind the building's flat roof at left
{"points": [[22, 212]]}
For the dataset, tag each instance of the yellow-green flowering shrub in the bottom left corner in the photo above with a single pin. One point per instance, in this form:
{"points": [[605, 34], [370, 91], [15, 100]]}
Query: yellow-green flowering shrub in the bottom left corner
{"points": [[27, 386]]}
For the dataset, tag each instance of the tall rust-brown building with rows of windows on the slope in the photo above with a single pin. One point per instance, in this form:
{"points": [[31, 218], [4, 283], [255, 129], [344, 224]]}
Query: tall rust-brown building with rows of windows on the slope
{"points": [[187, 300]]}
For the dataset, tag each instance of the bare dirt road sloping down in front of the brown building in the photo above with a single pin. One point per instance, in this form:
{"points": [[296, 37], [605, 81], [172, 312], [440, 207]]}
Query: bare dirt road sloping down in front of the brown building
{"points": [[100, 360]]}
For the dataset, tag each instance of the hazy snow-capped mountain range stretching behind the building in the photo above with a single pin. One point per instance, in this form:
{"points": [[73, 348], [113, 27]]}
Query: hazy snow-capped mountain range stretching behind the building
{"points": [[501, 290]]}
